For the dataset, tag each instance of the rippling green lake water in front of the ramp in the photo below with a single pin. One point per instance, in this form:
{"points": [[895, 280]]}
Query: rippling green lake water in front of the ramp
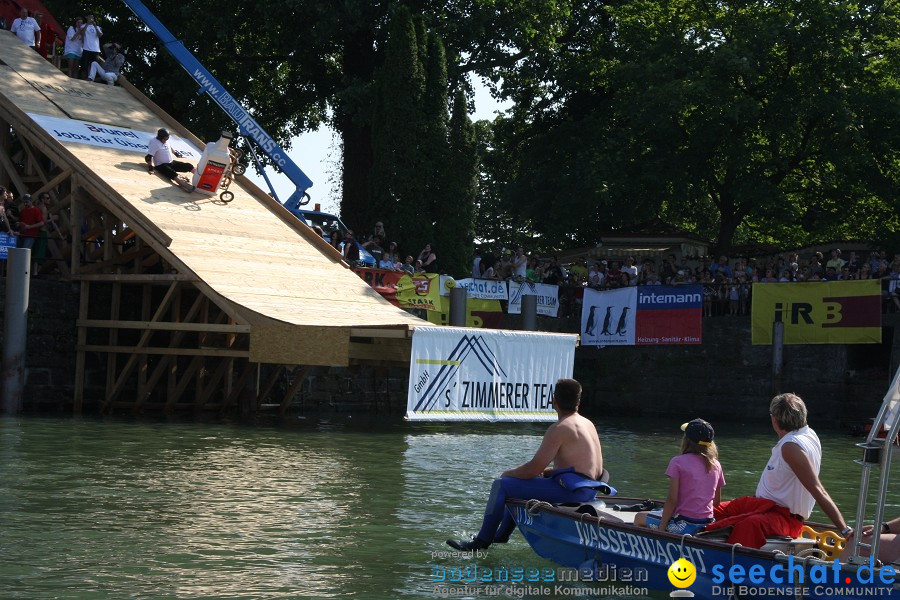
{"points": [[340, 509]]}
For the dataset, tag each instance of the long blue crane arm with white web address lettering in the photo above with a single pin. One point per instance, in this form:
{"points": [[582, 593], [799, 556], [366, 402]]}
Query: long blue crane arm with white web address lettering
{"points": [[247, 125]]}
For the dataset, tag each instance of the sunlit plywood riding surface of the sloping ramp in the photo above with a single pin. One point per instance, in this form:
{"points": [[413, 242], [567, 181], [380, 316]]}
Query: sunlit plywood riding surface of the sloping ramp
{"points": [[244, 251]]}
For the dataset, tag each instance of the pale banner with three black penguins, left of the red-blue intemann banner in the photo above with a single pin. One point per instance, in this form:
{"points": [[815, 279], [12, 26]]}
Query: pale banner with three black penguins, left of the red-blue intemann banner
{"points": [[607, 318]]}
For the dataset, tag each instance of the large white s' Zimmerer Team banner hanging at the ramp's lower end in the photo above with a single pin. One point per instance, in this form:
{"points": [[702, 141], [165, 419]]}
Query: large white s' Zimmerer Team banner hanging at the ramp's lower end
{"points": [[459, 374]]}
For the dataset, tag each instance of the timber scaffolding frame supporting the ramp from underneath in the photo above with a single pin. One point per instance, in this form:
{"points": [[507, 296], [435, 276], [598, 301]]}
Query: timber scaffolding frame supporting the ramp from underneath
{"points": [[160, 336]]}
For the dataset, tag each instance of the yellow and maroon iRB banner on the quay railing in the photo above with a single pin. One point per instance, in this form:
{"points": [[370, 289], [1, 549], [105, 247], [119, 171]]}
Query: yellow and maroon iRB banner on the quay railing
{"points": [[831, 312]]}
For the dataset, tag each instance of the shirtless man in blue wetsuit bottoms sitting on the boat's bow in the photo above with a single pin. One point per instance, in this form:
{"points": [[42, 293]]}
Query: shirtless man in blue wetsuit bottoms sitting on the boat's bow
{"points": [[571, 444]]}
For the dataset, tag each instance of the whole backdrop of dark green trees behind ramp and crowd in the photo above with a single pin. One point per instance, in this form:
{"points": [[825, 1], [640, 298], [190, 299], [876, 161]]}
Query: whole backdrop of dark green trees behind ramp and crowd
{"points": [[755, 121]]}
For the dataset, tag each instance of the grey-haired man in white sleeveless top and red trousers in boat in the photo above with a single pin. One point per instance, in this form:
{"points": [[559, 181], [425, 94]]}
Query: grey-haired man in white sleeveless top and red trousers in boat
{"points": [[789, 486]]}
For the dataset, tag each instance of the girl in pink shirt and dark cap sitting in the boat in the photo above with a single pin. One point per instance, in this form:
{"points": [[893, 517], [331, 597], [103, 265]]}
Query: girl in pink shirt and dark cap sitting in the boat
{"points": [[695, 484]]}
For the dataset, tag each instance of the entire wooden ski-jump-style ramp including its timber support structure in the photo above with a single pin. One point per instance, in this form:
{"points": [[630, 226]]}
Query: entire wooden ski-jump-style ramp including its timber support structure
{"points": [[171, 279]]}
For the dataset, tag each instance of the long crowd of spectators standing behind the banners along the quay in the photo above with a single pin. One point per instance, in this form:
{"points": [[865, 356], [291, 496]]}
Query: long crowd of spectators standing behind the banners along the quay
{"points": [[727, 283]]}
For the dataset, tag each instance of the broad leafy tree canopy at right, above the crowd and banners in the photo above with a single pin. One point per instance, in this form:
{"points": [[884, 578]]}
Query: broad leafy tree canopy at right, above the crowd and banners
{"points": [[743, 121]]}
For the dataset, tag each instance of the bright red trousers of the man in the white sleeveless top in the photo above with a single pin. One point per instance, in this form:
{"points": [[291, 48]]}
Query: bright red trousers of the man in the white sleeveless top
{"points": [[754, 519]]}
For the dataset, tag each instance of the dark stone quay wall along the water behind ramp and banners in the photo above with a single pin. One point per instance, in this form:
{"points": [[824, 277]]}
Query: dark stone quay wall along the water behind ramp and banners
{"points": [[723, 378]]}
